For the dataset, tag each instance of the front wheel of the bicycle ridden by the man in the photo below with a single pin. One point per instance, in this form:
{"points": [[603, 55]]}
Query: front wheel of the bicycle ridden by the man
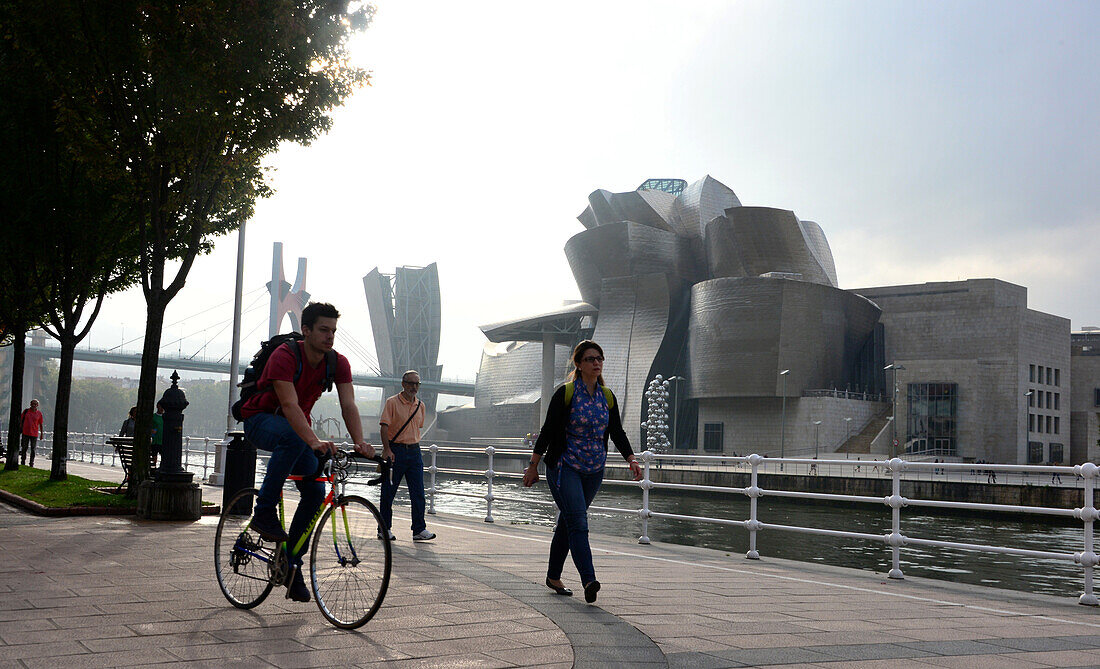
{"points": [[350, 562]]}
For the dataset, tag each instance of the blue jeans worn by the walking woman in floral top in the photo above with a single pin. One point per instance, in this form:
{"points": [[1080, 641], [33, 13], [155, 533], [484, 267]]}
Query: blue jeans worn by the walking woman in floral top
{"points": [[574, 493]]}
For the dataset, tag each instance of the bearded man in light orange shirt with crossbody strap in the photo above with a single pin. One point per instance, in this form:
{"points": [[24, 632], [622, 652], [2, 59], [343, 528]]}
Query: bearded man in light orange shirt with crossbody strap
{"points": [[402, 420]]}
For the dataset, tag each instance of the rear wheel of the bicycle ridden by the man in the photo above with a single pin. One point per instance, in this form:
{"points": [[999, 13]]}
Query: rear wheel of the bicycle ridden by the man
{"points": [[243, 561]]}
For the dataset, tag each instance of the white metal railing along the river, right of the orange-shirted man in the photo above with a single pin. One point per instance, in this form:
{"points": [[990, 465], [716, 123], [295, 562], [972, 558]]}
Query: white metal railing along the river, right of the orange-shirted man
{"points": [[896, 541]]}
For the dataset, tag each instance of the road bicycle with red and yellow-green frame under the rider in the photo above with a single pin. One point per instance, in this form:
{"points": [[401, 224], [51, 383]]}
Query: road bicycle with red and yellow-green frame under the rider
{"points": [[349, 572]]}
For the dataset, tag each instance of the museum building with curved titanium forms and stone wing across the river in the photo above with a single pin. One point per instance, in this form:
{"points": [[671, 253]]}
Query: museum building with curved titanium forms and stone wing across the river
{"points": [[741, 308]]}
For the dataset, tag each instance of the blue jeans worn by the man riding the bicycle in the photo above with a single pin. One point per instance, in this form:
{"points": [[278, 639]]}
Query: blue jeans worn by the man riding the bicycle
{"points": [[291, 455]]}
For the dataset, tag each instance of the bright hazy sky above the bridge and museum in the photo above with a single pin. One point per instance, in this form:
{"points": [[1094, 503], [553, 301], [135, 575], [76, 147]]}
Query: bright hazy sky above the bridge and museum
{"points": [[932, 141]]}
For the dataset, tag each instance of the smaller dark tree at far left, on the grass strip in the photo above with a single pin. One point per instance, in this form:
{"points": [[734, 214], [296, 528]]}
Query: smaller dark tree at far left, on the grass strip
{"points": [[68, 214]]}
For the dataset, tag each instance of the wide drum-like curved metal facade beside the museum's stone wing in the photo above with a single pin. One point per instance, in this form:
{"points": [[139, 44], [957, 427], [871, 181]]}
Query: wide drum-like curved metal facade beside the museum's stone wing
{"points": [[743, 332]]}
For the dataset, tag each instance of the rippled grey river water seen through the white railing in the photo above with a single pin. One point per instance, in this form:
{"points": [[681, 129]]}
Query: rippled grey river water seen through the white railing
{"points": [[514, 506]]}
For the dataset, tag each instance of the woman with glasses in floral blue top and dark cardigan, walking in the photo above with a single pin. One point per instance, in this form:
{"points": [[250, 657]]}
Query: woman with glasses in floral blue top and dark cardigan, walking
{"points": [[582, 415]]}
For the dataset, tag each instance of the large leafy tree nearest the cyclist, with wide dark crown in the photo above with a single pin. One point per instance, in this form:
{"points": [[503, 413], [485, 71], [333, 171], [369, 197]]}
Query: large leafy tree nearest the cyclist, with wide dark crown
{"points": [[178, 103]]}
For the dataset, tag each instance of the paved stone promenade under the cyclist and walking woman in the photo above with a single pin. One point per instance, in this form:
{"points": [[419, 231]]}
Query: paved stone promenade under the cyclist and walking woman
{"points": [[117, 591]]}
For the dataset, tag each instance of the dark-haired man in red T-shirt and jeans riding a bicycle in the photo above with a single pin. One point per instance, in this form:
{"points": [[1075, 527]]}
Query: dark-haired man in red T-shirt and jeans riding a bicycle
{"points": [[278, 420]]}
